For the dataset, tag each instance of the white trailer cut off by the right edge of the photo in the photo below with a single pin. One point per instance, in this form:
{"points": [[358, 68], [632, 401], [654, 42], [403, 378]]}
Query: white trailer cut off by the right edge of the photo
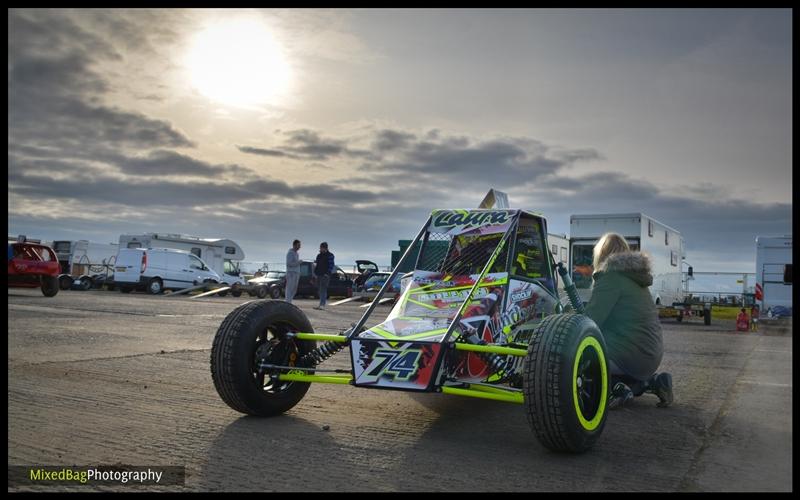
{"points": [[773, 273]]}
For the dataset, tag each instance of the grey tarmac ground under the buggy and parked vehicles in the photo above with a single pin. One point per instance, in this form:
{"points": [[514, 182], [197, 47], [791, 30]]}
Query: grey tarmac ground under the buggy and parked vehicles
{"points": [[102, 377]]}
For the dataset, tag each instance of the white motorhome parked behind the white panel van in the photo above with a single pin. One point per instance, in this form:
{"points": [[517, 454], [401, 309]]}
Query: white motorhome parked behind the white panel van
{"points": [[221, 255]]}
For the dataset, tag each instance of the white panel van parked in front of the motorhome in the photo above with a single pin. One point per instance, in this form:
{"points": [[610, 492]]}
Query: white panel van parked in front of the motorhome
{"points": [[155, 269]]}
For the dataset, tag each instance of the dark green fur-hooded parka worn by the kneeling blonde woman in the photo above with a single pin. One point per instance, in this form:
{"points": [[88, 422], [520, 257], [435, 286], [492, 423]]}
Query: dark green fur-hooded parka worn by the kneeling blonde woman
{"points": [[623, 308]]}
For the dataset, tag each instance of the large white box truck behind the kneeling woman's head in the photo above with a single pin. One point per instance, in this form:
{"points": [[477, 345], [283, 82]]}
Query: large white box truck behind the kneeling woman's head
{"points": [[662, 243]]}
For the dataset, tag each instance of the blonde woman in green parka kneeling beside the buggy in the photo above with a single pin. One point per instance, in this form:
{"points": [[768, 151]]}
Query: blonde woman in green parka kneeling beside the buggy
{"points": [[623, 308]]}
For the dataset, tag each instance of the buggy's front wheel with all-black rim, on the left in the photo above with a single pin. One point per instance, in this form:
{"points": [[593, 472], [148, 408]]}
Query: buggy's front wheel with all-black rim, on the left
{"points": [[254, 331]]}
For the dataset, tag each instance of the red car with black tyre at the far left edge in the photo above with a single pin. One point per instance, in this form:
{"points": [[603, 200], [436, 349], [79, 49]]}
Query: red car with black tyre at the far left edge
{"points": [[31, 265]]}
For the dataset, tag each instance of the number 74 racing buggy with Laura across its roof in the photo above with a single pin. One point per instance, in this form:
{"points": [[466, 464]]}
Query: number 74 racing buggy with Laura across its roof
{"points": [[479, 316]]}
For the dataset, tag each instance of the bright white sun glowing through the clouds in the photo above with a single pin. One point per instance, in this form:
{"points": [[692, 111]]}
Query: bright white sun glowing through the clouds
{"points": [[238, 62]]}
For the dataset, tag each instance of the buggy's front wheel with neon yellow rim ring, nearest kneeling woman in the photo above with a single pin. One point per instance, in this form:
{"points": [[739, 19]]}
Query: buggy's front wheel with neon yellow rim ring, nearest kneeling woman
{"points": [[566, 383]]}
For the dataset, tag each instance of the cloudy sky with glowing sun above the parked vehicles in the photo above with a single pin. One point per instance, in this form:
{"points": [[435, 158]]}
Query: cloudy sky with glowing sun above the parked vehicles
{"points": [[350, 126]]}
